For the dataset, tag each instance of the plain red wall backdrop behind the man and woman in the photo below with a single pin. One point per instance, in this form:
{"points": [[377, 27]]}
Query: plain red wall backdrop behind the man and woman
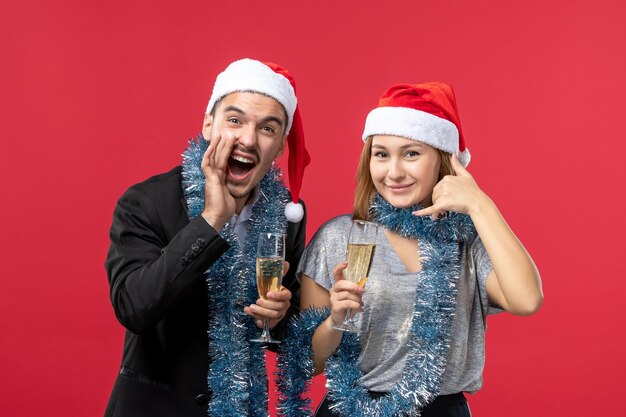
{"points": [[98, 95]]}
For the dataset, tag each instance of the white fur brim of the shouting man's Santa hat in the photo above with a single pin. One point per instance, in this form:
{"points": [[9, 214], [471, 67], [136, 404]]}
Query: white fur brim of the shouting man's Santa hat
{"points": [[254, 76]]}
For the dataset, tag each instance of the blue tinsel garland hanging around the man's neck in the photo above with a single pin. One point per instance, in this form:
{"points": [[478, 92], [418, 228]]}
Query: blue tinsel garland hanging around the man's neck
{"points": [[237, 375]]}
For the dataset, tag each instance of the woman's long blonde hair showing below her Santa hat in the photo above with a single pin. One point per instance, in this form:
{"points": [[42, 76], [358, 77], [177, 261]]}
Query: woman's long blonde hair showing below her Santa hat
{"points": [[365, 189]]}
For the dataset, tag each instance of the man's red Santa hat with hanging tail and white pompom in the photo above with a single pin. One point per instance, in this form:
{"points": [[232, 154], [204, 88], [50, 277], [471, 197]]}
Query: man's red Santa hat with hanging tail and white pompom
{"points": [[249, 75]]}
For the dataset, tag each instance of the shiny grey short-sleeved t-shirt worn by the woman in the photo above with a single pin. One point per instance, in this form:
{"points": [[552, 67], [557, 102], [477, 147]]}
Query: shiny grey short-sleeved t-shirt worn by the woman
{"points": [[389, 302]]}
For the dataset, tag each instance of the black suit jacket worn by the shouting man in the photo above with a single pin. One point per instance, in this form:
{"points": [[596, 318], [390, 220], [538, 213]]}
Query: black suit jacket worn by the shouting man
{"points": [[155, 267]]}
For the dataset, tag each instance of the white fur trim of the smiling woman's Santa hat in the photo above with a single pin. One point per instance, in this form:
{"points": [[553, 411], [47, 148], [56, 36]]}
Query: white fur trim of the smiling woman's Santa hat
{"points": [[416, 125]]}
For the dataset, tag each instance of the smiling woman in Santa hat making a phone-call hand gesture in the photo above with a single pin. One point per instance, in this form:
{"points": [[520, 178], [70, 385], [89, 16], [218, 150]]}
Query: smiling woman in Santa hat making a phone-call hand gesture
{"points": [[445, 258]]}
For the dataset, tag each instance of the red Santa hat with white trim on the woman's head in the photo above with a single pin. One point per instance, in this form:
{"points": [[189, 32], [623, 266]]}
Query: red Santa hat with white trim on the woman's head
{"points": [[425, 112]]}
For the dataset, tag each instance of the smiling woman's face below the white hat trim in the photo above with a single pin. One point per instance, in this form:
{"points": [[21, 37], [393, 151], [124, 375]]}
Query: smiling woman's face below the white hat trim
{"points": [[404, 171]]}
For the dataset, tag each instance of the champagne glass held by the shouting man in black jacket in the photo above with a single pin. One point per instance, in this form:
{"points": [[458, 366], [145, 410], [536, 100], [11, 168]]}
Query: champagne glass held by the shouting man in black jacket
{"points": [[270, 259]]}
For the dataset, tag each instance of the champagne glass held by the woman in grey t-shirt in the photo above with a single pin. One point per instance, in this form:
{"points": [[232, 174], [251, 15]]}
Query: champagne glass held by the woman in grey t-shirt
{"points": [[361, 248]]}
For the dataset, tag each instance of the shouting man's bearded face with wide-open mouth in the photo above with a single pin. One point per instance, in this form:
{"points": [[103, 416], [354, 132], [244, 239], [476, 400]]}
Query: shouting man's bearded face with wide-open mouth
{"points": [[258, 122]]}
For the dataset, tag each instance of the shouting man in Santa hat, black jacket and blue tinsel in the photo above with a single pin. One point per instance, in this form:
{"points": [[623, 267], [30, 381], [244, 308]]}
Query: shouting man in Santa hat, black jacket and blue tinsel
{"points": [[182, 255]]}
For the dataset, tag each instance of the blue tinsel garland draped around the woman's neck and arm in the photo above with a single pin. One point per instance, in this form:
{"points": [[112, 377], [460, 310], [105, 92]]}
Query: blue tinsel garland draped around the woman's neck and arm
{"points": [[435, 303]]}
